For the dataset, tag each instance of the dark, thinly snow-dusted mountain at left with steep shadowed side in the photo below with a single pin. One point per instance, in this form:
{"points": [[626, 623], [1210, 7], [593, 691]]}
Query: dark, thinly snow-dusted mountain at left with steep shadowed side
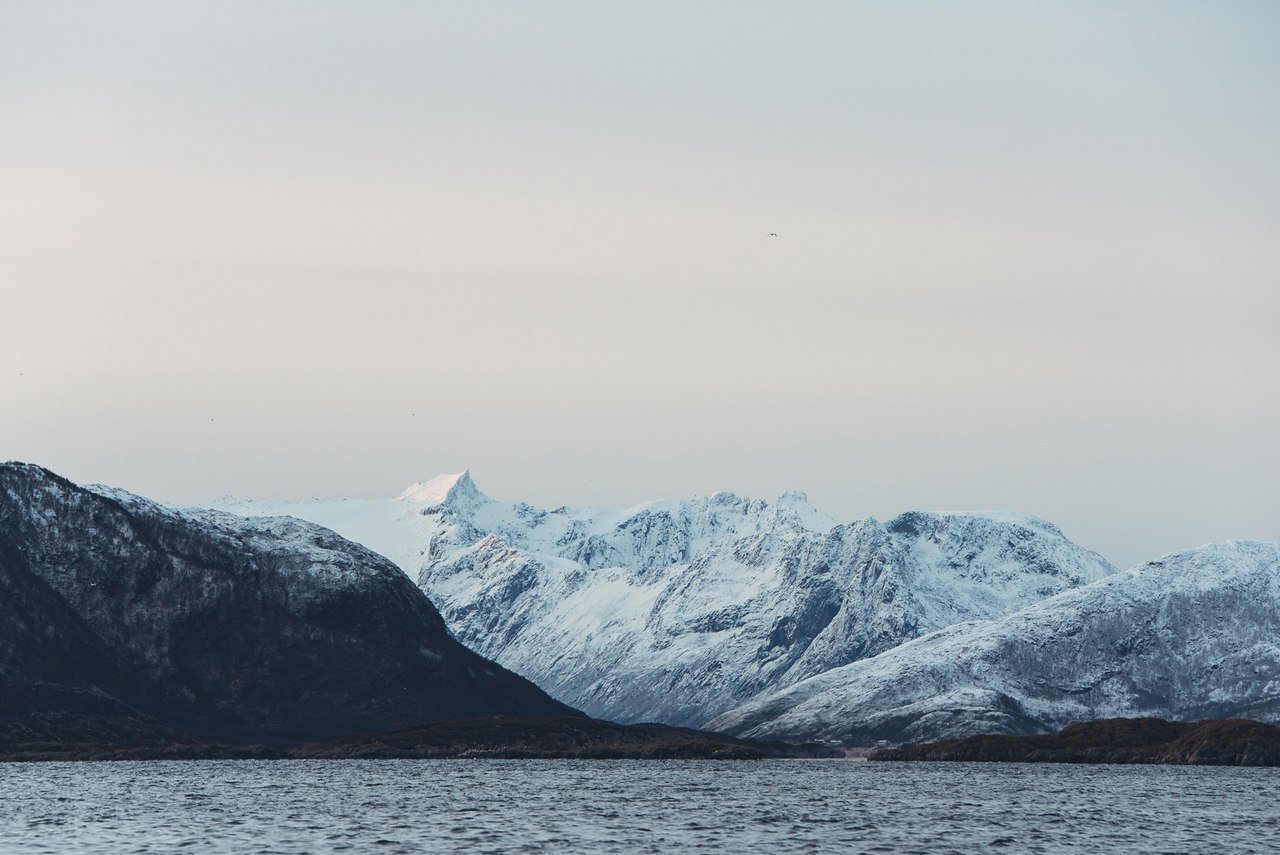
{"points": [[126, 620]]}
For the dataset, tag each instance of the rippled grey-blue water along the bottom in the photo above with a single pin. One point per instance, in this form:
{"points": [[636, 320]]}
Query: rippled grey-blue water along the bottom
{"points": [[628, 807]]}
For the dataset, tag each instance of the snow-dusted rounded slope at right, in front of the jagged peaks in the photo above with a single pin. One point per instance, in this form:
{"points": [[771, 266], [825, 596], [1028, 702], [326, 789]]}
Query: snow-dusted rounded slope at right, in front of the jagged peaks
{"points": [[1191, 637]]}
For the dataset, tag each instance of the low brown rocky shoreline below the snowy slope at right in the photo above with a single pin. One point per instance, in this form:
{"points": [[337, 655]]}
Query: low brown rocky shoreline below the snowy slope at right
{"points": [[1117, 740]]}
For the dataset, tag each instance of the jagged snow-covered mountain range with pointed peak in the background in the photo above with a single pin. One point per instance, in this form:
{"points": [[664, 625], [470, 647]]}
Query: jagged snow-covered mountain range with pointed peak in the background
{"points": [[678, 611]]}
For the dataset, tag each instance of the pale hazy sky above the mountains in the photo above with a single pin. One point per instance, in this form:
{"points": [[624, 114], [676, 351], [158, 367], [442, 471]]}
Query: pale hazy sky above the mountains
{"points": [[1027, 257]]}
